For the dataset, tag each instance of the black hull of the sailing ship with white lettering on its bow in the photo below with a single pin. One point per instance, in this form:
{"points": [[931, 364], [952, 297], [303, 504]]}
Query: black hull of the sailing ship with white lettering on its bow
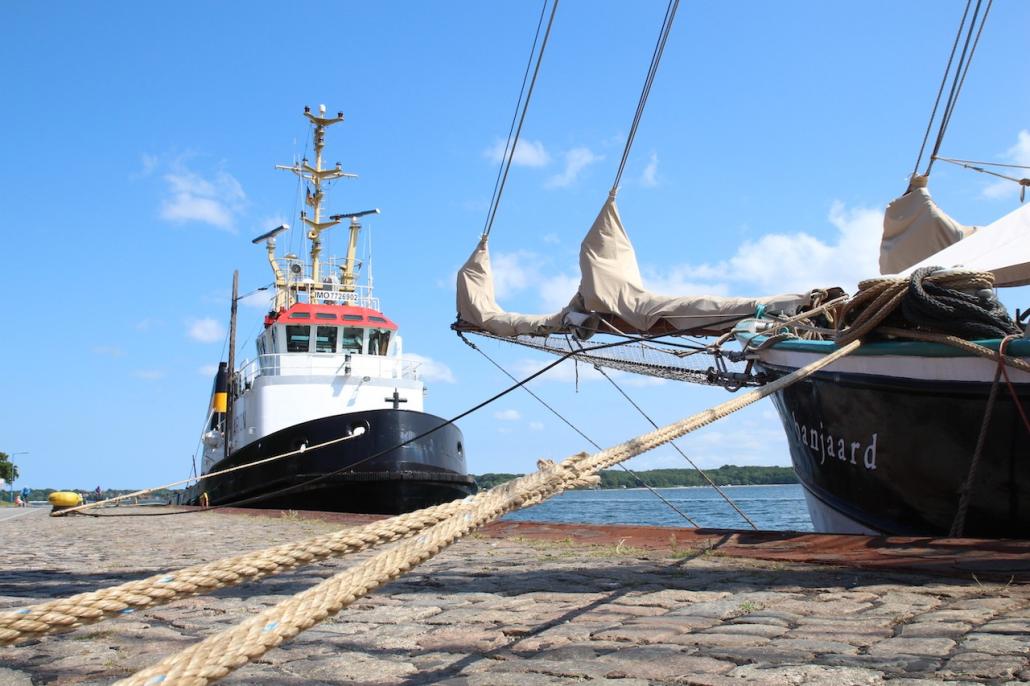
{"points": [[891, 456]]}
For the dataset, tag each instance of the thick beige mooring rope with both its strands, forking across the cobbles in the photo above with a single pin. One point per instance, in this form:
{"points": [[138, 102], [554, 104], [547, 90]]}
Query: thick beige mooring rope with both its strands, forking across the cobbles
{"points": [[220, 655]]}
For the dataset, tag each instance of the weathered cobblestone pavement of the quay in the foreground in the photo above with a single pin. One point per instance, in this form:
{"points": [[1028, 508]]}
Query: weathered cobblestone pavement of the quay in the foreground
{"points": [[519, 612]]}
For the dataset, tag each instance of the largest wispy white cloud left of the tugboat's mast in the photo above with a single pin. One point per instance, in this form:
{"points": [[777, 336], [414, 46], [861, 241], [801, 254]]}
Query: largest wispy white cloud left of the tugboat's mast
{"points": [[193, 198]]}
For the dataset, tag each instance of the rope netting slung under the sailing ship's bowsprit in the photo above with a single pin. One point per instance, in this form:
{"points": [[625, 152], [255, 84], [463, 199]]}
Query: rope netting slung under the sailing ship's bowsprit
{"points": [[694, 365]]}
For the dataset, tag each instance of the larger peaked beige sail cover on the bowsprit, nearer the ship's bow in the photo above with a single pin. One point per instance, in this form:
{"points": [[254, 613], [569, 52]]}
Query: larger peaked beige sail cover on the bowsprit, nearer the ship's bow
{"points": [[611, 284]]}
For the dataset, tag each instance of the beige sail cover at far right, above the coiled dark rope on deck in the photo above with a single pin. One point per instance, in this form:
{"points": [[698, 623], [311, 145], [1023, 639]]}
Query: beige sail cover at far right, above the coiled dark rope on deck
{"points": [[915, 228]]}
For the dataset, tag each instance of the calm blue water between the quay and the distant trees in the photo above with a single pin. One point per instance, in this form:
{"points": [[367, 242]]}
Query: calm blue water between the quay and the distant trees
{"points": [[770, 507]]}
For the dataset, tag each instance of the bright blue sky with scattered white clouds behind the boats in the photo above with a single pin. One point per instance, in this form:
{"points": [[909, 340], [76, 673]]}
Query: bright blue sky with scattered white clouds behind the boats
{"points": [[140, 145]]}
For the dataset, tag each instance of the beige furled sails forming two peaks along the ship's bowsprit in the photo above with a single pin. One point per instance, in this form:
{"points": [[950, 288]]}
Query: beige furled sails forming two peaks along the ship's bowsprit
{"points": [[611, 286]]}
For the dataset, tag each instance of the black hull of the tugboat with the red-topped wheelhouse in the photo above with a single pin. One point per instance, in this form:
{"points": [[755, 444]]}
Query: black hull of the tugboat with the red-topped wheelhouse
{"points": [[340, 477]]}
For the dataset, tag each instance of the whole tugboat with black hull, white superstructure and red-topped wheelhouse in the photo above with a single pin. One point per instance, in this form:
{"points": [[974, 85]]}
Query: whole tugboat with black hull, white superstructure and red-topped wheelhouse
{"points": [[330, 385]]}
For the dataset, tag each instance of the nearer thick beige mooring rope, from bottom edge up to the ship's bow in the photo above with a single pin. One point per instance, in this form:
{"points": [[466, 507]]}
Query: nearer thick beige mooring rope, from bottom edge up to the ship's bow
{"points": [[220, 655]]}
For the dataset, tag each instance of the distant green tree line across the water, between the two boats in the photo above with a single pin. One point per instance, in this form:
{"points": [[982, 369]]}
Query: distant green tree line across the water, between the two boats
{"points": [[728, 475]]}
